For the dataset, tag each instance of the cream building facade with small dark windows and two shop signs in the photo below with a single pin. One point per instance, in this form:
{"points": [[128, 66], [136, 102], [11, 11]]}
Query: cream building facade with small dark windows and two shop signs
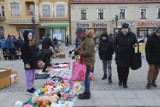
{"points": [[108, 15]]}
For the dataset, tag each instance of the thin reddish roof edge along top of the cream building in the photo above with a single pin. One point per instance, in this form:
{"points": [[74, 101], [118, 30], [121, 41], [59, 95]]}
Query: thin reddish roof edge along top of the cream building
{"points": [[113, 1]]}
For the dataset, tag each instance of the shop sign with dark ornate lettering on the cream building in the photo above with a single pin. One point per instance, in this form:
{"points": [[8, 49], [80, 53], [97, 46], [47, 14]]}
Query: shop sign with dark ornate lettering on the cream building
{"points": [[92, 25]]}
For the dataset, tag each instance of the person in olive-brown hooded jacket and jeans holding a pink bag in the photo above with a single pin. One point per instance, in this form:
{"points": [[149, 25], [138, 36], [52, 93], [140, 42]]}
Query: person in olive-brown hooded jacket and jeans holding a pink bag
{"points": [[86, 49]]}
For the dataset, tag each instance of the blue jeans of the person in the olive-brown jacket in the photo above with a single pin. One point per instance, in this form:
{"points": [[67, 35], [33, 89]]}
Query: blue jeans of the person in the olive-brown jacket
{"points": [[87, 81]]}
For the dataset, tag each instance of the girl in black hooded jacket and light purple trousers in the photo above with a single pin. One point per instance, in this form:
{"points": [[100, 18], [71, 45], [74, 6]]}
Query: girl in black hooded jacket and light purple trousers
{"points": [[29, 56]]}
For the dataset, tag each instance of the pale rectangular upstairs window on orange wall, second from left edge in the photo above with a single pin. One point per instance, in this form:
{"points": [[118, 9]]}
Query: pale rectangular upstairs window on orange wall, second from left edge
{"points": [[15, 9]]}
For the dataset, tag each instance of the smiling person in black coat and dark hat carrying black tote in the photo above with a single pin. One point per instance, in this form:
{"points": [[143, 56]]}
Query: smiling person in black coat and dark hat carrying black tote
{"points": [[123, 44]]}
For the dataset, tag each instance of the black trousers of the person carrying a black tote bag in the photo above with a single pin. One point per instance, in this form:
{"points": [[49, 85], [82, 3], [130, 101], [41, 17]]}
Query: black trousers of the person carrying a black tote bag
{"points": [[123, 74]]}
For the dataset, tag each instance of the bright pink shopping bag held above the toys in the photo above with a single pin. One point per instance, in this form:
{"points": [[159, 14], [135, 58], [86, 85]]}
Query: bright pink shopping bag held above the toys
{"points": [[78, 71]]}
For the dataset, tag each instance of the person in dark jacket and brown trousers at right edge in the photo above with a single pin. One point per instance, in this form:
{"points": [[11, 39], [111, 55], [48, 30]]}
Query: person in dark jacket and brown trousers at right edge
{"points": [[152, 51]]}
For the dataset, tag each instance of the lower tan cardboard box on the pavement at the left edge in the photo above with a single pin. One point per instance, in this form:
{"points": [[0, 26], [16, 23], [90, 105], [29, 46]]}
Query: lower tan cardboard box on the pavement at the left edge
{"points": [[5, 82]]}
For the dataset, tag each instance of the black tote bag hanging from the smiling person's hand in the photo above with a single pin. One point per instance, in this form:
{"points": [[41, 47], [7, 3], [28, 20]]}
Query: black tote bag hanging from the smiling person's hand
{"points": [[136, 61]]}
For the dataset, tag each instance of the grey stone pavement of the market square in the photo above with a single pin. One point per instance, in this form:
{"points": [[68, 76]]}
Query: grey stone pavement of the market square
{"points": [[103, 93]]}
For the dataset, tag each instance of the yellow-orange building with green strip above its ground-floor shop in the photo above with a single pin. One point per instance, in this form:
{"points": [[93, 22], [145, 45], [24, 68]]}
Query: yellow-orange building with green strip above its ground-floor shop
{"points": [[41, 16]]}
